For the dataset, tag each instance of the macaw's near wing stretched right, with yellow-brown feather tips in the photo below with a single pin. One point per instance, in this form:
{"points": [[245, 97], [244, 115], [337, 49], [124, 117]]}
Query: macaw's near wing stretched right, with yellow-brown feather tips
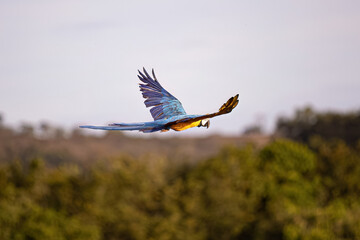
{"points": [[224, 109]]}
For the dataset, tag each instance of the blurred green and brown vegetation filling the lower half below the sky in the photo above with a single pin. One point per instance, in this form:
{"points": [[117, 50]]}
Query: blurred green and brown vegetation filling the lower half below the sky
{"points": [[279, 189]]}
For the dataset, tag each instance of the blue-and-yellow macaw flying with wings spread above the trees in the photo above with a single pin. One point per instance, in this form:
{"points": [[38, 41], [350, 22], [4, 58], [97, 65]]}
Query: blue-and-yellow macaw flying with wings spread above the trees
{"points": [[166, 110]]}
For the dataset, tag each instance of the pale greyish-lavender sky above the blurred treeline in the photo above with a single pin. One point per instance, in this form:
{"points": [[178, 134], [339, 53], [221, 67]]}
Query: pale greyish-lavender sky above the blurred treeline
{"points": [[75, 62]]}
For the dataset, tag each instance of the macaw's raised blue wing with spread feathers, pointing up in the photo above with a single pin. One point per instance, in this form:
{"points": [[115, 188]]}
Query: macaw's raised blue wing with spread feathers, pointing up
{"points": [[163, 104]]}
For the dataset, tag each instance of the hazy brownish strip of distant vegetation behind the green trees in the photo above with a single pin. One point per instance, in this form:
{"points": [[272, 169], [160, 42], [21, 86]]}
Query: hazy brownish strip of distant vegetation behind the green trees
{"points": [[58, 146]]}
